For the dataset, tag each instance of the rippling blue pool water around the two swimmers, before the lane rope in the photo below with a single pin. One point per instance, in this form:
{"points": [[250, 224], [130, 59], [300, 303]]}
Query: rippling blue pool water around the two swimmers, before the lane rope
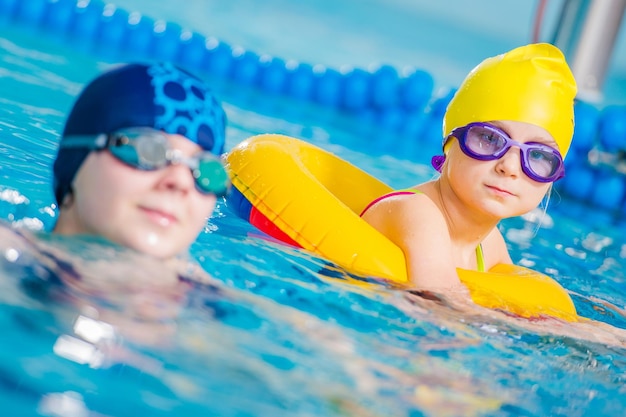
{"points": [[280, 331]]}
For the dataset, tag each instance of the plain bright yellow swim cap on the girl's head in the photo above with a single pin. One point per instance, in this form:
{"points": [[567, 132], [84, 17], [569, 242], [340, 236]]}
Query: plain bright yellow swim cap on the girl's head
{"points": [[531, 84]]}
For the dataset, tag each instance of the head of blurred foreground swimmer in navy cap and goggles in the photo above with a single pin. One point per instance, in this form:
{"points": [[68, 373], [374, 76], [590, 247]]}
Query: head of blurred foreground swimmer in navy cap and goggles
{"points": [[138, 162]]}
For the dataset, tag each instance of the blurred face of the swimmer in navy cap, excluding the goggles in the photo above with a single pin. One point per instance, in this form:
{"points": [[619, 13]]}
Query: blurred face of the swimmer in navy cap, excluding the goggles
{"points": [[159, 212]]}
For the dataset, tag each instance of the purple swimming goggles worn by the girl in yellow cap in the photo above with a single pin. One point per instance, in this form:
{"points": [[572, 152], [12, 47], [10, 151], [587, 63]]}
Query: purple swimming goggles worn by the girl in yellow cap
{"points": [[485, 142]]}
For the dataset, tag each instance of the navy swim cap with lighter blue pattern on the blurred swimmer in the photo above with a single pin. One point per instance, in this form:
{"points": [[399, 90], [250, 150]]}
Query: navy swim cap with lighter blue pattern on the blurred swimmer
{"points": [[161, 96]]}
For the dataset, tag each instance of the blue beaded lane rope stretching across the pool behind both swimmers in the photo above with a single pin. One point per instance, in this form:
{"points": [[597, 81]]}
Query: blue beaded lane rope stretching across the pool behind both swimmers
{"points": [[397, 102]]}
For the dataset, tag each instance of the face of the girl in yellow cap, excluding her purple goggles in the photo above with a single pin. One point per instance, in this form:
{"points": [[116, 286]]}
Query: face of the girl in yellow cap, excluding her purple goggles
{"points": [[499, 187]]}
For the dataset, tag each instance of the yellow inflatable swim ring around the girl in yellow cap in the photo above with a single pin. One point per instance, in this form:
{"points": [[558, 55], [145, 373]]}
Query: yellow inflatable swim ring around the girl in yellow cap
{"points": [[305, 195]]}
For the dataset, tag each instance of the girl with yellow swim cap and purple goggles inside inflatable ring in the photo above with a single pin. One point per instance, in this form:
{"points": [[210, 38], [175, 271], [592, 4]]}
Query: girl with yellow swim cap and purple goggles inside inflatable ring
{"points": [[506, 132]]}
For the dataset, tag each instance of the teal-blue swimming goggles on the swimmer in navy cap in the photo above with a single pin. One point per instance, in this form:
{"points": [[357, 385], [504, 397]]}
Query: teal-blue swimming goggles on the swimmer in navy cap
{"points": [[149, 149]]}
